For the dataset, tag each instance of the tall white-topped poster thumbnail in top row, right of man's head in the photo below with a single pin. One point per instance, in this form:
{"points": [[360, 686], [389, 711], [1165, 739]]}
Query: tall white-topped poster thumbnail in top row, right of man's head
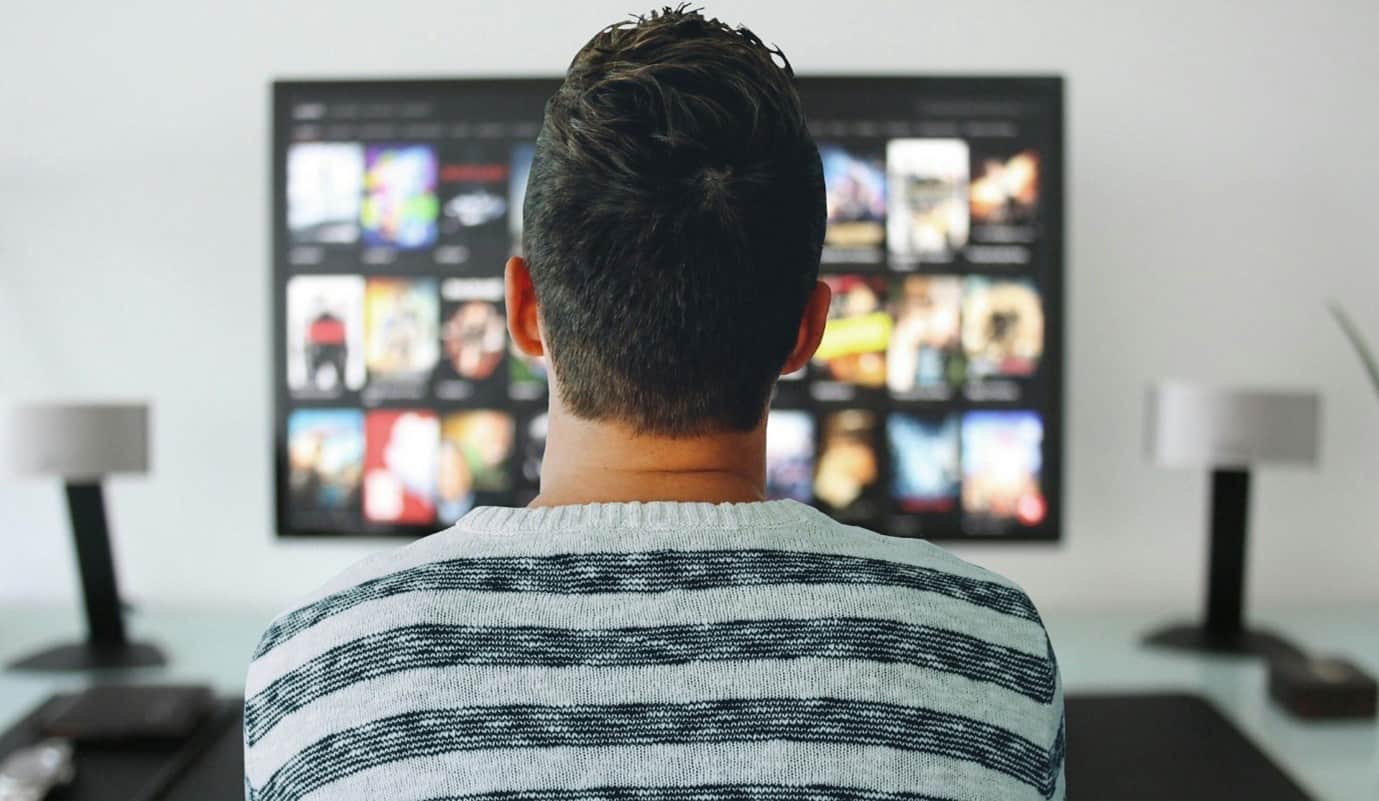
{"points": [[927, 201]]}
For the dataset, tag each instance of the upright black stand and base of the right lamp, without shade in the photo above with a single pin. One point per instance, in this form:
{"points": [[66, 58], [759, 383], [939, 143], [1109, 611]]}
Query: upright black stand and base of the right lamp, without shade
{"points": [[1224, 631]]}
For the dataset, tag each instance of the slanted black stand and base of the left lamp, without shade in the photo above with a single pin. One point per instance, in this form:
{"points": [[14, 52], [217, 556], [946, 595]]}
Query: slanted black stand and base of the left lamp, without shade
{"points": [[107, 645]]}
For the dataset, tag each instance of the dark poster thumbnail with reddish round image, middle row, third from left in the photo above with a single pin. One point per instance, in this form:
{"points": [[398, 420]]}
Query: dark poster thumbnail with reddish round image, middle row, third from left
{"points": [[474, 336]]}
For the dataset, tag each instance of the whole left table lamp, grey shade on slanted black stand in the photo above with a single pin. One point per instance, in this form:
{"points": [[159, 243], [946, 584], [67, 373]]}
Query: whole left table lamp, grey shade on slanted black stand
{"points": [[82, 445]]}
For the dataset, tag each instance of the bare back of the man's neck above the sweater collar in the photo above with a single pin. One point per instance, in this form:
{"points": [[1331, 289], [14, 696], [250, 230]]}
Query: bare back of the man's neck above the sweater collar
{"points": [[599, 463]]}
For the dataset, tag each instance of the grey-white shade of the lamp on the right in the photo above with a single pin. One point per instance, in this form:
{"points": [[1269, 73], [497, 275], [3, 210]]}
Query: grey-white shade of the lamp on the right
{"points": [[1203, 427]]}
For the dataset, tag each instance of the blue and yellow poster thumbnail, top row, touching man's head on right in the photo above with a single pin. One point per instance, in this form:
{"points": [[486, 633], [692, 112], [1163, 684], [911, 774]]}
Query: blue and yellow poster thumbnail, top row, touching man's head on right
{"points": [[856, 195]]}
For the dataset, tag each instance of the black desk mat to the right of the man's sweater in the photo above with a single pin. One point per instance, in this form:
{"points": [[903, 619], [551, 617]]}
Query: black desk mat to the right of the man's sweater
{"points": [[1165, 748]]}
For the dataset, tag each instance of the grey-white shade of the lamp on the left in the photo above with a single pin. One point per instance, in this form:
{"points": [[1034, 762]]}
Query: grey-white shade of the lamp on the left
{"points": [[75, 442]]}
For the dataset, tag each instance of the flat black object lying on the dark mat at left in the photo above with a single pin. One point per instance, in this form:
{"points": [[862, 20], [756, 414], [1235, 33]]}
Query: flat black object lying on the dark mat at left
{"points": [[122, 713]]}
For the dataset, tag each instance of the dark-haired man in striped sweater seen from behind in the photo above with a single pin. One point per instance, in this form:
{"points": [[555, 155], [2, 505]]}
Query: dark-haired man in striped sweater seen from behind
{"points": [[652, 629]]}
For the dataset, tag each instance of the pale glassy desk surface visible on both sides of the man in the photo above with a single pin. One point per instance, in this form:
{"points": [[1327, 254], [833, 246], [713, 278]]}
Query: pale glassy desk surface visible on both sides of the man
{"points": [[1098, 653]]}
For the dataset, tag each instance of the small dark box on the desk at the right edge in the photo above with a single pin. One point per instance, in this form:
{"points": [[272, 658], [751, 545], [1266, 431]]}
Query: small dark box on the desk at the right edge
{"points": [[1323, 689]]}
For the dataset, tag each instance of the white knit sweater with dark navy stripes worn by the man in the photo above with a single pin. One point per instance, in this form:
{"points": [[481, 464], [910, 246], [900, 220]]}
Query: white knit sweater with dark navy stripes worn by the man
{"points": [[657, 653]]}
